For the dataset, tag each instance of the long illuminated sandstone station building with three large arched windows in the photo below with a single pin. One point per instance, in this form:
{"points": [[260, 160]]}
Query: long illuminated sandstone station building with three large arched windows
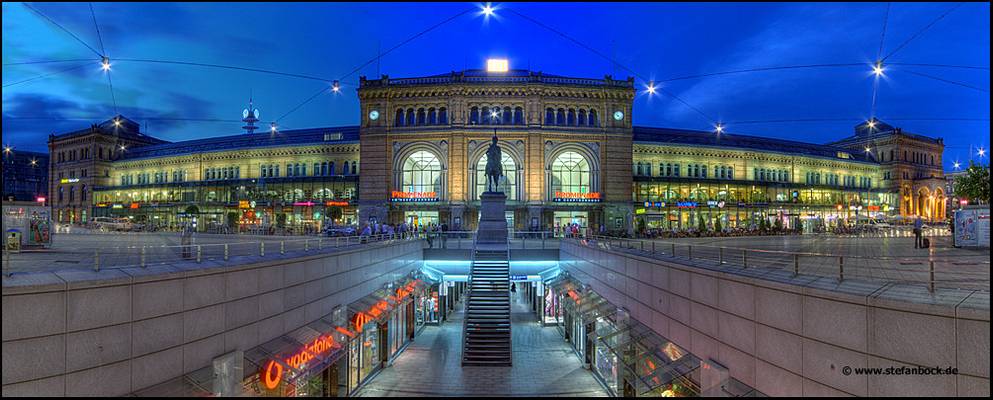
{"points": [[571, 155]]}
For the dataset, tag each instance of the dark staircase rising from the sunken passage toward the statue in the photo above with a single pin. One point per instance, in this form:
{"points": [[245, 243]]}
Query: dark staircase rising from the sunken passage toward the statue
{"points": [[486, 333]]}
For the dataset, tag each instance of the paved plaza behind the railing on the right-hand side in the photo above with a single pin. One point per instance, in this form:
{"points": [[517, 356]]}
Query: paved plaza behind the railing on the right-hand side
{"points": [[890, 259]]}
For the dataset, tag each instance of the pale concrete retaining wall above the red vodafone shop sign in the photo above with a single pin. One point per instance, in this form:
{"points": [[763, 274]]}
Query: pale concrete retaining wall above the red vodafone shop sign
{"points": [[82, 333]]}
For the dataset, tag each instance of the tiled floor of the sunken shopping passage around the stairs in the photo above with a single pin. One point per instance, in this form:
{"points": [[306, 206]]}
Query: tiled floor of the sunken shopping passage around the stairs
{"points": [[544, 365]]}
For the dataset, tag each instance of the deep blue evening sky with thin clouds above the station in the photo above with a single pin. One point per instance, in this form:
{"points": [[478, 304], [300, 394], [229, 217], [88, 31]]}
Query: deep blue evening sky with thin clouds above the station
{"points": [[658, 41]]}
